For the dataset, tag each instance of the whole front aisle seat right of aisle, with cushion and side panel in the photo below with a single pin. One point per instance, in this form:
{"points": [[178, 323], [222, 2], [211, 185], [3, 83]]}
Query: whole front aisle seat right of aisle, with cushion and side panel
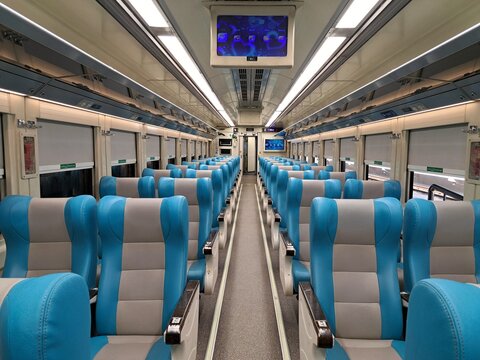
{"points": [[353, 252]]}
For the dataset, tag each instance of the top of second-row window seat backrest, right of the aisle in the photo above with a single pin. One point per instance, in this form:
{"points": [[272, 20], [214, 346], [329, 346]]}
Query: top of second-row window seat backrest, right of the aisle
{"points": [[370, 189]]}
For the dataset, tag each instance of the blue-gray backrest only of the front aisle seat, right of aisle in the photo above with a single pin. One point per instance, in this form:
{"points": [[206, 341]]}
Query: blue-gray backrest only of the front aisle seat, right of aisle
{"points": [[353, 266]]}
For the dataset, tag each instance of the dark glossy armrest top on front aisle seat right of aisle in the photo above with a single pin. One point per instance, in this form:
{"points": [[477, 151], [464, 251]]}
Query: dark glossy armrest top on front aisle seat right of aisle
{"points": [[325, 338]]}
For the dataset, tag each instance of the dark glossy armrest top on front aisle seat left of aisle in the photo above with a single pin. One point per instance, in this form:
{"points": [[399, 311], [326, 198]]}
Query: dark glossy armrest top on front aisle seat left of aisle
{"points": [[173, 333]]}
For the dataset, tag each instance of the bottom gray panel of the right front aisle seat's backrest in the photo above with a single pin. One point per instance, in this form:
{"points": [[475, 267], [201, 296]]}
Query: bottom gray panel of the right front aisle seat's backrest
{"points": [[358, 320]]}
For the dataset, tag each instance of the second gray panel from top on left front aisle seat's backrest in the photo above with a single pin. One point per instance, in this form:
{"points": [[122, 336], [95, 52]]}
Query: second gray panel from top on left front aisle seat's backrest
{"points": [[143, 256]]}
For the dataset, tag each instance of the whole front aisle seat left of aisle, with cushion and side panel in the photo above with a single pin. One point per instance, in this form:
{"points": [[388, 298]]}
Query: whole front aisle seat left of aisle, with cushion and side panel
{"points": [[143, 288]]}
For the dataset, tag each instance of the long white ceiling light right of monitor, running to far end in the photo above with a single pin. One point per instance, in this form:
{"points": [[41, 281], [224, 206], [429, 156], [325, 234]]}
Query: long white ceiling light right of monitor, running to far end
{"points": [[324, 52]]}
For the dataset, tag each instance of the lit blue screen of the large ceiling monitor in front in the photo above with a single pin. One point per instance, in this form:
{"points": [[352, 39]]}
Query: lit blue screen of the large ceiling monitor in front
{"points": [[252, 36]]}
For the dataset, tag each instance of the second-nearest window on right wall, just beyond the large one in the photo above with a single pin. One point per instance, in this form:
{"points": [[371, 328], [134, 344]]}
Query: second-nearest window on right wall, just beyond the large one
{"points": [[378, 153]]}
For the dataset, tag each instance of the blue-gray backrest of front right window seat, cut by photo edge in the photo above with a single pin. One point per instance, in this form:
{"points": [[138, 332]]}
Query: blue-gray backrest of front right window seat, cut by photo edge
{"points": [[441, 239]]}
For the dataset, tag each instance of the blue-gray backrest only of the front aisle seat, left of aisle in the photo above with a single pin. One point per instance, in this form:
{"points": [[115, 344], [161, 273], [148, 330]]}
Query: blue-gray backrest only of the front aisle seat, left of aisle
{"points": [[144, 263]]}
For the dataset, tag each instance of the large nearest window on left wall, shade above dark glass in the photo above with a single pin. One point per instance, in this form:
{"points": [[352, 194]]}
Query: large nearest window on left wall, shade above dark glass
{"points": [[66, 158]]}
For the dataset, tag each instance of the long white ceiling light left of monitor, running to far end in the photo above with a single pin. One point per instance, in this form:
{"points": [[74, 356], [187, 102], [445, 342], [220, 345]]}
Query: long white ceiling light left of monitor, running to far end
{"points": [[183, 58]]}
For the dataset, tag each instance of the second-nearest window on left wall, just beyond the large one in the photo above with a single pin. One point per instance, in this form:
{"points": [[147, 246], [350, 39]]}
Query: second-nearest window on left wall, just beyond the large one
{"points": [[124, 153]]}
